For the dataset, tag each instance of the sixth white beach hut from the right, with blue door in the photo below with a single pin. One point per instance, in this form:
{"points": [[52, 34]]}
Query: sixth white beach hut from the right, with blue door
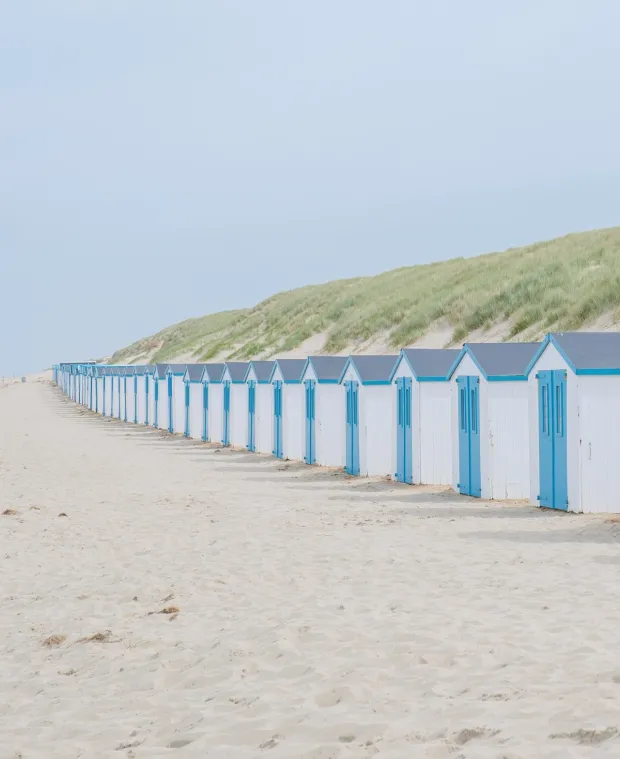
{"points": [[288, 408]]}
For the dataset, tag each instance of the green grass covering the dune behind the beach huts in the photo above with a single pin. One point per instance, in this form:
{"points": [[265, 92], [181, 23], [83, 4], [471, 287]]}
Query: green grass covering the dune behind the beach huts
{"points": [[563, 284]]}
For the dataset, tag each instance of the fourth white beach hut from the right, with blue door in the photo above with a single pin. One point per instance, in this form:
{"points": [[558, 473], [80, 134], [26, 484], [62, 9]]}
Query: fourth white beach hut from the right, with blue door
{"points": [[370, 415]]}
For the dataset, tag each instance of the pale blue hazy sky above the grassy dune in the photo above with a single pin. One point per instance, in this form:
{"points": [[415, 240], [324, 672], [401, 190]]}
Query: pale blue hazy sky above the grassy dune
{"points": [[161, 160]]}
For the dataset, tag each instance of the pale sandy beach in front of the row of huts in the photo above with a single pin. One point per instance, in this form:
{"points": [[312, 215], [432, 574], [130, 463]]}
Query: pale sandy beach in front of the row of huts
{"points": [[319, 617]]}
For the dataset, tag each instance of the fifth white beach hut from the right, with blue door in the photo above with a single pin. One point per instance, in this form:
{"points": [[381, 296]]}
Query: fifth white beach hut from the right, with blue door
{"points": [[324, 411]]}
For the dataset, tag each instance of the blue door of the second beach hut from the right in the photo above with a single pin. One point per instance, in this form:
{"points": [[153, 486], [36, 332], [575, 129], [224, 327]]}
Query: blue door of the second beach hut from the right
{"points": [[469, 436]]}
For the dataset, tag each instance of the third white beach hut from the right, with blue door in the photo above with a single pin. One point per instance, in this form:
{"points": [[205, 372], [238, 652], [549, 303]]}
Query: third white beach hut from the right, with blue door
{"points": [[423, 428]]}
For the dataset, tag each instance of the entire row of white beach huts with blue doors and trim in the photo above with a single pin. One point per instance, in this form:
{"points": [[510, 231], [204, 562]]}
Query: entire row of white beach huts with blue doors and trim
{"points": [[536, 421]]}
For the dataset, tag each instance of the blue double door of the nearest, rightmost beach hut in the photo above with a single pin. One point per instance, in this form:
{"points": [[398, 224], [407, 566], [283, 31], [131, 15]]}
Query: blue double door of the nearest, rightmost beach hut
{"points": [[552, 448]]}
